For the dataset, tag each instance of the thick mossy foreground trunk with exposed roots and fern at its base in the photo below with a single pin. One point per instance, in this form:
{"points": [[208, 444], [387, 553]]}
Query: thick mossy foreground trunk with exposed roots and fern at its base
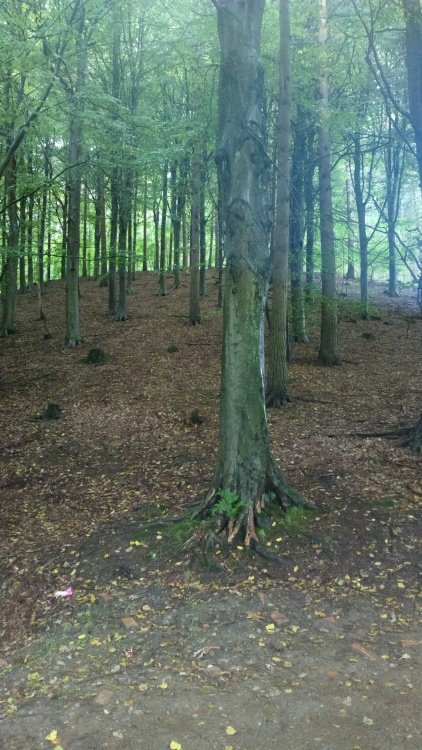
{"points": [[245, 468]]}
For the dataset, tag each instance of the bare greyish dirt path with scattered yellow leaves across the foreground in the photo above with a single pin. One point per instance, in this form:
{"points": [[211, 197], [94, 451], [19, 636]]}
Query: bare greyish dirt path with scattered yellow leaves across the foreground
{"points": [[283, 668]]}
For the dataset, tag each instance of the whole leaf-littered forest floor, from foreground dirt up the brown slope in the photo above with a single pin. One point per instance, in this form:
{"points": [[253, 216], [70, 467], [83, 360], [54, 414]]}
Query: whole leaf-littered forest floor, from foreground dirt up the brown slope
{"points": [[157, 648]]}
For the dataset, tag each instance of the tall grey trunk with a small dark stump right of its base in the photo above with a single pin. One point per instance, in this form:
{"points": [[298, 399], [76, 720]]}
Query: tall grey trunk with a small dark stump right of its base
{"points": [[73, 332]]}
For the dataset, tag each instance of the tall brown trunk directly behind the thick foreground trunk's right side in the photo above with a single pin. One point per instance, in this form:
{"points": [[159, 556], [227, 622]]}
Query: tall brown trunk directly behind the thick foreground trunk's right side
{"points": [[277, 378]]}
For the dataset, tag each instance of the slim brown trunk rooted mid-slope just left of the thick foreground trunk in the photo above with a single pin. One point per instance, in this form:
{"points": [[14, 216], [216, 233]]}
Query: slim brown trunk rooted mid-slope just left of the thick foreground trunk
{"points": [[194, 306]]}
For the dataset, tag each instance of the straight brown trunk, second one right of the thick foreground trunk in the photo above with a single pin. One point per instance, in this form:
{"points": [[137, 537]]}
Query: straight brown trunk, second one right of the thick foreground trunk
{"points": [[328, 349]]}
